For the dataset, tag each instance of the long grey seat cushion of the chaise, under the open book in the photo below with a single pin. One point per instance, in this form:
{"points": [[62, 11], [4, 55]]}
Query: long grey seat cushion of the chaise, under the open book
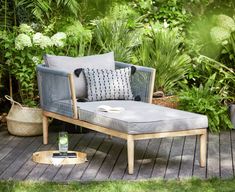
{"points": [[139, 117]]}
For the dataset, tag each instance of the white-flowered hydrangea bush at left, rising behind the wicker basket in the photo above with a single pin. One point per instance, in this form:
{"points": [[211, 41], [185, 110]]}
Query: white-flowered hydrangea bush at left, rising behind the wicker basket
{"points": [[25, 48]]}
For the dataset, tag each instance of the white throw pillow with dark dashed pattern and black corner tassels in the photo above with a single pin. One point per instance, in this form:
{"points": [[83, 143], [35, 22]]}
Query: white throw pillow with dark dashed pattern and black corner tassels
{"points": [[105, 84]]}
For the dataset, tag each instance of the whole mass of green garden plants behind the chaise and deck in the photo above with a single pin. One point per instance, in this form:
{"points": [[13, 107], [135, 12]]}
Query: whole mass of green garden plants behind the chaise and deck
{"points": [[188, 43]]}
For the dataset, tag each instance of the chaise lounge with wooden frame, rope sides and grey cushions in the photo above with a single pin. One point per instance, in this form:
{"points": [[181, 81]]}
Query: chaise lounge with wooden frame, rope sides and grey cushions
{"points": [[140, 119]]}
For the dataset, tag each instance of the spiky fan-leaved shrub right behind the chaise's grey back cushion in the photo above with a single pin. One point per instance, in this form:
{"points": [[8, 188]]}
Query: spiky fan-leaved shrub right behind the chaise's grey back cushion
{"points": [[114, 33]]}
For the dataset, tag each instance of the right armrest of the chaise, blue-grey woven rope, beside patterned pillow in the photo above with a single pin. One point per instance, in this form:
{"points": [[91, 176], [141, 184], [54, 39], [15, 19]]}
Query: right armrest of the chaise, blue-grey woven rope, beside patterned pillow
{"points": [[142, 82]]}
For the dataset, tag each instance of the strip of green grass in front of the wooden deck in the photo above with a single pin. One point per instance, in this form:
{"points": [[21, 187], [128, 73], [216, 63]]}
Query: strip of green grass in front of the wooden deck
{"points": [[191, 185]]}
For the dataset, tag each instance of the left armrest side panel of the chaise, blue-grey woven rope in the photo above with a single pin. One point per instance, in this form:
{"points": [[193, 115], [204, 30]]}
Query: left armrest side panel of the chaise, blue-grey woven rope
{"points": [[55, 91]]}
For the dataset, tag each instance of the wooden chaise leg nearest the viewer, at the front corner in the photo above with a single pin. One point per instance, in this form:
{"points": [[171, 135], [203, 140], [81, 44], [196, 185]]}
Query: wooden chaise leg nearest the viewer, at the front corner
{"points": [[130, 154]]}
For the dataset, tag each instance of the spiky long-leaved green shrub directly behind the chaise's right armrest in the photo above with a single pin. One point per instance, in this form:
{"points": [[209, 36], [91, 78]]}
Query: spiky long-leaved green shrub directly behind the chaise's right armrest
{"points": [[161, 50]]}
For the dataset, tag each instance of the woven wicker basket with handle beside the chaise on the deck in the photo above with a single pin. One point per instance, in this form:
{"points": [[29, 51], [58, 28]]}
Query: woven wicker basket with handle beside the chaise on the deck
{"points": [[24, 121]]}
